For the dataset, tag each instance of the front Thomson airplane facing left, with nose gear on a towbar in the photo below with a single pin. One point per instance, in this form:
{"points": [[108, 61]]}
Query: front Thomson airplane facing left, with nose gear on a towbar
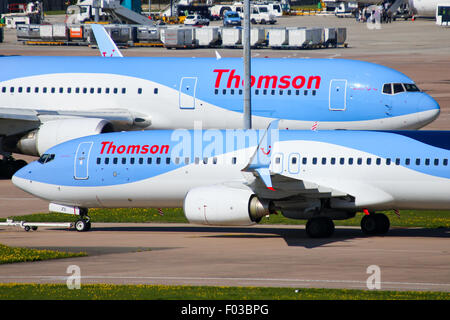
{"points": [[236, 177]]}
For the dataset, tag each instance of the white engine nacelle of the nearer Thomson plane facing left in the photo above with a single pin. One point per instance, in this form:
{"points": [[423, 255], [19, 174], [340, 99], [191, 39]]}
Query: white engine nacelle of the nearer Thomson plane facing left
{"points": [[224, 206]]}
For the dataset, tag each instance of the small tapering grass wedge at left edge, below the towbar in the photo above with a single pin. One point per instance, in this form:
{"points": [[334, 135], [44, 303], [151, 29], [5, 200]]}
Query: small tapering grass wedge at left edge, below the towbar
{"points": [[15, 254]]}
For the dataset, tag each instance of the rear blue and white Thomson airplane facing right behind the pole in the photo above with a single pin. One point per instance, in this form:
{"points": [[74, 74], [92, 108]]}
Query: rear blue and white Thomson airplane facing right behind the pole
{"points": [[48, 100]]}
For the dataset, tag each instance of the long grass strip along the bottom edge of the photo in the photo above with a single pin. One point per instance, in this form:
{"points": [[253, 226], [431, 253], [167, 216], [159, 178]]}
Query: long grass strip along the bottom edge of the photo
{"points": [[16, 291]]}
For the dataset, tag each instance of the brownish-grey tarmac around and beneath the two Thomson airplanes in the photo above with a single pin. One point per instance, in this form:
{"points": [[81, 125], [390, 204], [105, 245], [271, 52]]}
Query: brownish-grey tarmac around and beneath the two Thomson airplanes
{"points": [[408, 259]]}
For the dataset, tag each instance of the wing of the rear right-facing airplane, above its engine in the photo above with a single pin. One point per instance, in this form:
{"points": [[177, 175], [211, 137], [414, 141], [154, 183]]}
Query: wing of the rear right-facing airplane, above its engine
{"points": [[15, 120]]}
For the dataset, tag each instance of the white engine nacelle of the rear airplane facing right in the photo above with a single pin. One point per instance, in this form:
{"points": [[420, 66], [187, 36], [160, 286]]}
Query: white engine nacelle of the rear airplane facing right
{"points": [[51, 133]]}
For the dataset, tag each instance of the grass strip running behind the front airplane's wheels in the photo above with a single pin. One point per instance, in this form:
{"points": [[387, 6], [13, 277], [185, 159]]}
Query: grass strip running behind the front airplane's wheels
{"points": [[408, 218]]}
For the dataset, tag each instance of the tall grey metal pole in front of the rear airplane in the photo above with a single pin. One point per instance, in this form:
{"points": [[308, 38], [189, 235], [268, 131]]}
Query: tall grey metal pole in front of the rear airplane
{"points": [[247, 68]]}
